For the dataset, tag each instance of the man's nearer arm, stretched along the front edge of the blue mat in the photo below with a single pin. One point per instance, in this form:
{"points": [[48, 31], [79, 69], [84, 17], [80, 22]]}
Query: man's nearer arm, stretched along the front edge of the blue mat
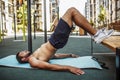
{"points": [[45, 65]]}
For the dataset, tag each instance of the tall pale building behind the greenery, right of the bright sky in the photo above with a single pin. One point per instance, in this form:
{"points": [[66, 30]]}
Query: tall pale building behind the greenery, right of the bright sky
{"points": [[110, 11]]}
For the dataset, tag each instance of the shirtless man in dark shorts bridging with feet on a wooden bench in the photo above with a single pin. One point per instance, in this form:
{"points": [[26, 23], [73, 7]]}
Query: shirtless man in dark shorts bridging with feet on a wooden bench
{"points": [[40, 57]]}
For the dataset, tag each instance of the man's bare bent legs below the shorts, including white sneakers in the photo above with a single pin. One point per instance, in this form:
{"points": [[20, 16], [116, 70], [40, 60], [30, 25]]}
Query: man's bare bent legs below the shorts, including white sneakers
{"points": [[73, 15]]}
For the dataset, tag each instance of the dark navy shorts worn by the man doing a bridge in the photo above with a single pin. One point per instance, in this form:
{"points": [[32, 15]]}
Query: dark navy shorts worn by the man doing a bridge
{"points": [[61, 34]]}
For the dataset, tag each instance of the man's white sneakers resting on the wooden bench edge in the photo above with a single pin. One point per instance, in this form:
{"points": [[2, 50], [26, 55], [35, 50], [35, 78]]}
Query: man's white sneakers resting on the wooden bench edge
{"points": [[102, 34]]}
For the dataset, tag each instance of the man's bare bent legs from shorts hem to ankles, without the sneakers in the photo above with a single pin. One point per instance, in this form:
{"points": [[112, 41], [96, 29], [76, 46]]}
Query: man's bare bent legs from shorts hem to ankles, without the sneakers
{"points": [[73, 15]]}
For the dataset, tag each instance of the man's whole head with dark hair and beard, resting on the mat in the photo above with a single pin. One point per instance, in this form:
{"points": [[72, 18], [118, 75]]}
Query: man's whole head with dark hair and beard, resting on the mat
{"points": [[22, 57]]}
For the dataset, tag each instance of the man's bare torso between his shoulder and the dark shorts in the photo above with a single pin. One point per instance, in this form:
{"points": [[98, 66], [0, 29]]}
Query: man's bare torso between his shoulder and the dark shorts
{"points": [[45, 52]]}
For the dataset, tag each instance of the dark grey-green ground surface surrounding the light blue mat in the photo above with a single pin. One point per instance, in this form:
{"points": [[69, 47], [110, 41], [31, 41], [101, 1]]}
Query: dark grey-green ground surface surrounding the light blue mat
{"points": [[77, 45]]}
